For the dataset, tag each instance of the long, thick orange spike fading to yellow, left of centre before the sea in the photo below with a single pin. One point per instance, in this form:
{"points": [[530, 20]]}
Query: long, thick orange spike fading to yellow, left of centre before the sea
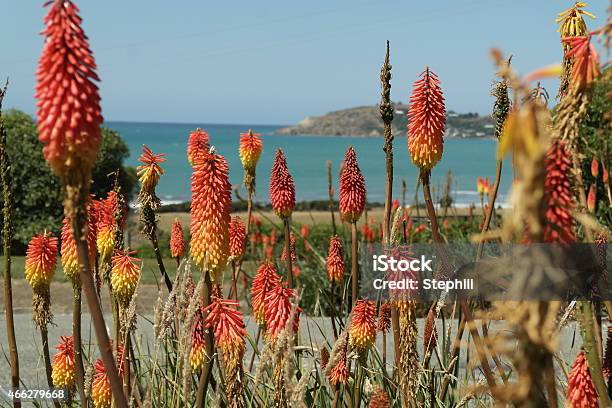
{"points": [[210, 213]]}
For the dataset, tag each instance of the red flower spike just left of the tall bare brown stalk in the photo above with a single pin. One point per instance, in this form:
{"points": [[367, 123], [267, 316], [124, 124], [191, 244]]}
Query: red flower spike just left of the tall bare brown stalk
{"points": [[352, 188]]}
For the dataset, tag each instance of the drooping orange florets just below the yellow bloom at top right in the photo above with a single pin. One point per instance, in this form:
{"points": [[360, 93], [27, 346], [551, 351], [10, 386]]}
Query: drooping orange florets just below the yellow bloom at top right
{"points": [[585, 68]]}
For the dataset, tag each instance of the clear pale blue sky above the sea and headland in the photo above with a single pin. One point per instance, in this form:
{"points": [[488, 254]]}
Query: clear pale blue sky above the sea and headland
{"points": [[276, 62]]}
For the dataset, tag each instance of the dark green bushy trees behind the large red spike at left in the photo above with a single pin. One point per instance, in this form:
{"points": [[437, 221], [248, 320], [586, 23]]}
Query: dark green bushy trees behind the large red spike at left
{"points": [[36, 191]]}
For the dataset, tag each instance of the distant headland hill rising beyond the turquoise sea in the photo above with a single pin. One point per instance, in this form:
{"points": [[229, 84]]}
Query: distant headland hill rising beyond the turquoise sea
{"points": [[365, 121]]}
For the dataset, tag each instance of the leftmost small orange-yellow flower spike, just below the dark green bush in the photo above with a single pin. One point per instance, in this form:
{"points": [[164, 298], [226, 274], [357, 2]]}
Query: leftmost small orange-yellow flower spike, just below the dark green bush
{"points": [[41, 258]]}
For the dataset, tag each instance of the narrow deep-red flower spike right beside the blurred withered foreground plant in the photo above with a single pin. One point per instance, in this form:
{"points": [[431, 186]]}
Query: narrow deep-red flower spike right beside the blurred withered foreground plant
{"points": [[558, 193]]}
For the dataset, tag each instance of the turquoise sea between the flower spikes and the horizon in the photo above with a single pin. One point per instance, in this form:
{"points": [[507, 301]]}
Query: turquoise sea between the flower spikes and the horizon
{"points": [[307, 158]]}
